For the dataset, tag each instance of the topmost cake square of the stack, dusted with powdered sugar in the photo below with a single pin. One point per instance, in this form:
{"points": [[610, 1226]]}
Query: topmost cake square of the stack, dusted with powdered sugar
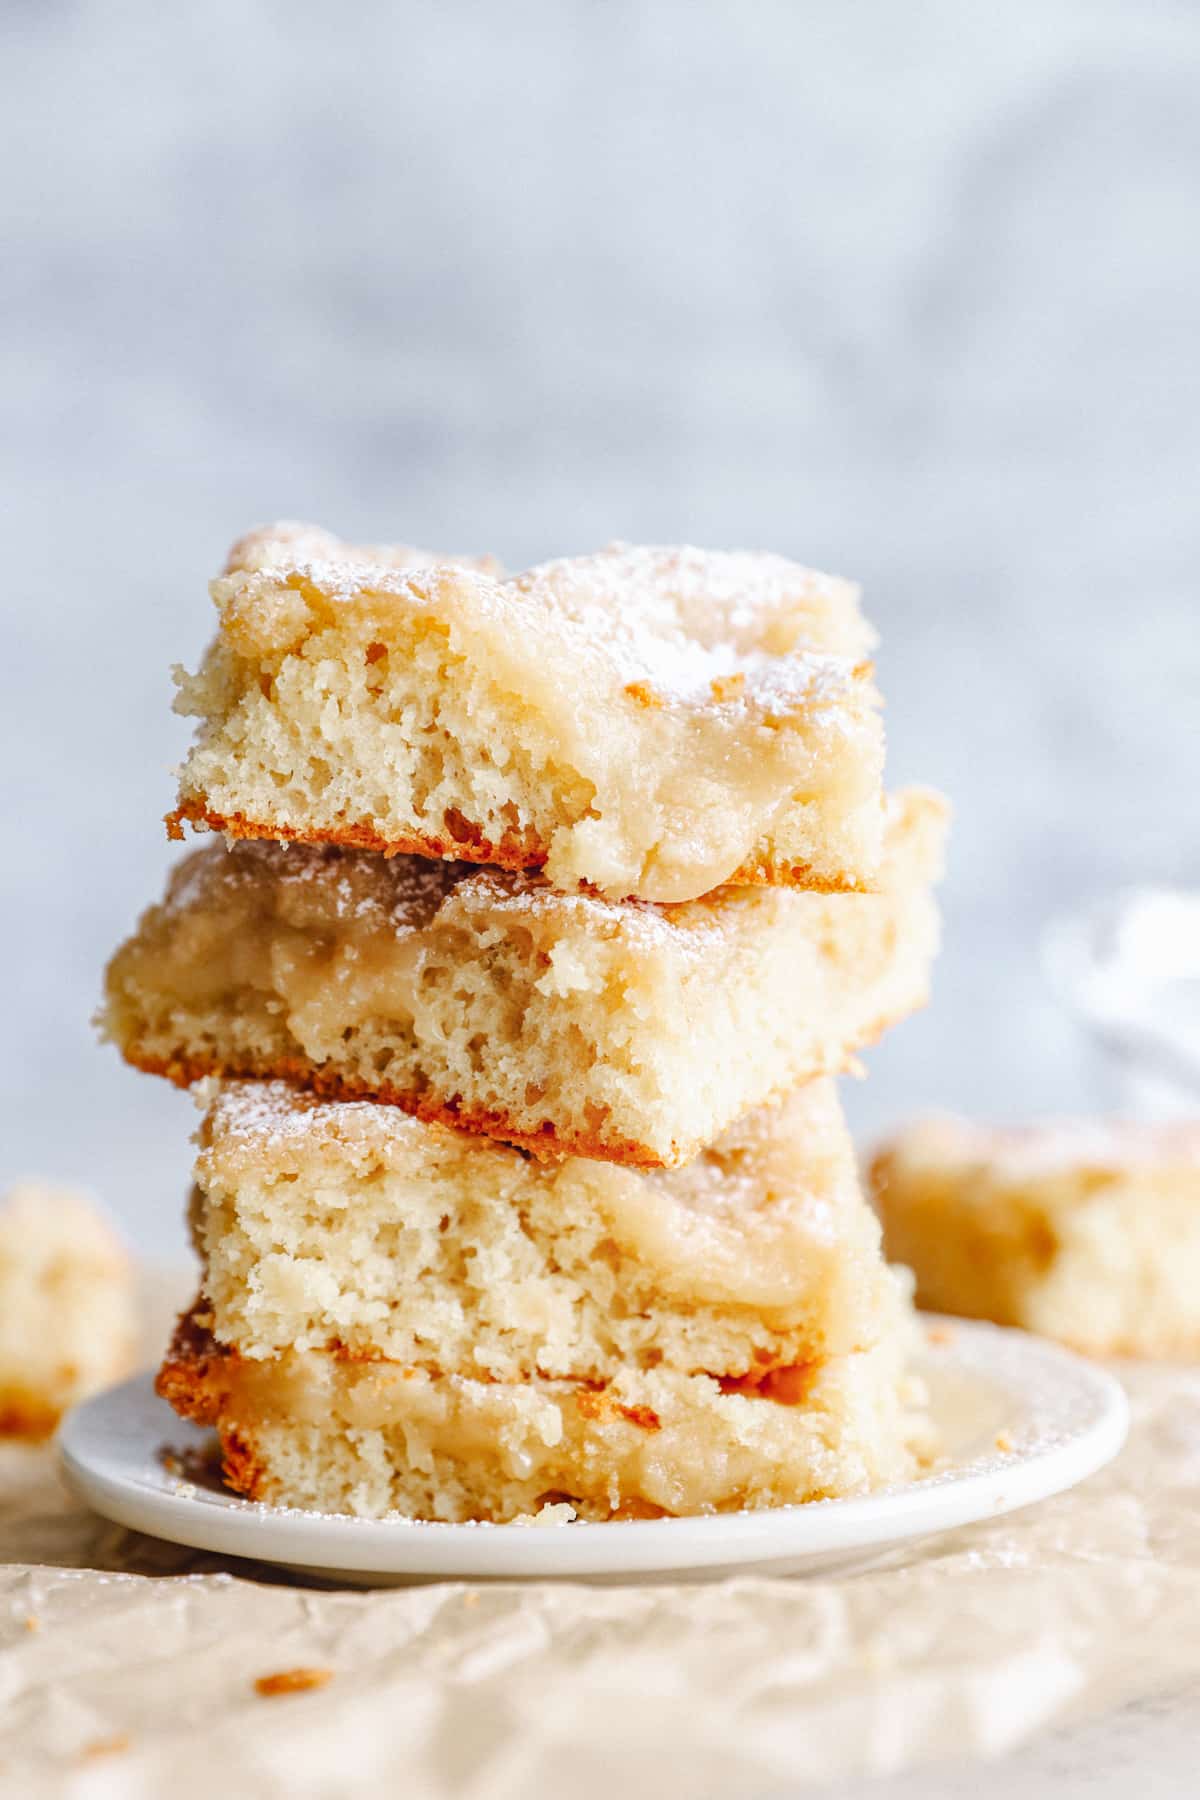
{"points": [[645, 723]]}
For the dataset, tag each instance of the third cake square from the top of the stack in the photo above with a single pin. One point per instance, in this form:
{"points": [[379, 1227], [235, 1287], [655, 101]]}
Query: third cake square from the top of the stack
{"points": [[350, 1227]]}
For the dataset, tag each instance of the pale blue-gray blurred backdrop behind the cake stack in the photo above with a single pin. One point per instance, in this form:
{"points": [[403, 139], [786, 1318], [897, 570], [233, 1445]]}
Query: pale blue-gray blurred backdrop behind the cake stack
{"points": [[909, 292]]}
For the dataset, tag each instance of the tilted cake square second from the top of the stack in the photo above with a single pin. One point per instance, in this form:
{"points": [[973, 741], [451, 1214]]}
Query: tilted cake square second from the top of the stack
{"points": [[562, 1023]]}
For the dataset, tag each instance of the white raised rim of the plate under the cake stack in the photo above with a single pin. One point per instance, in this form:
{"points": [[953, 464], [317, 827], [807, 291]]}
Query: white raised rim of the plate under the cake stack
{"points": [[981, 1489]]}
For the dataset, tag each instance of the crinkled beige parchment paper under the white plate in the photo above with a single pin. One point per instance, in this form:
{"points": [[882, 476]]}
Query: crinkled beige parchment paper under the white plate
{"points": [[127, 1668]]}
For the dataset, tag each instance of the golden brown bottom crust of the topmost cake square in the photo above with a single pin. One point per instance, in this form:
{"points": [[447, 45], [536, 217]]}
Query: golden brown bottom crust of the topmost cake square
{"points": [[515, 852]]}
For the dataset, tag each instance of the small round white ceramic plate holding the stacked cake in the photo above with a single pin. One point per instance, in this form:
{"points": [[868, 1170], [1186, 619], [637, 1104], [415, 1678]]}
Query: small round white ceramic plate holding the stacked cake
{"points": [[1057, 1417]]}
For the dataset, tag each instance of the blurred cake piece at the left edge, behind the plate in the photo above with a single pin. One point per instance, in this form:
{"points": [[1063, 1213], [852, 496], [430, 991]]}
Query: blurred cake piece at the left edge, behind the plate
{"points": [[67, 1306]]}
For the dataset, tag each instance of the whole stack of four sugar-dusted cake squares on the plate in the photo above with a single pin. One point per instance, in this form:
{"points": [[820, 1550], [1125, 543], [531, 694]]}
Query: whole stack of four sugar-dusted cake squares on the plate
{"points": [[541, 917]]}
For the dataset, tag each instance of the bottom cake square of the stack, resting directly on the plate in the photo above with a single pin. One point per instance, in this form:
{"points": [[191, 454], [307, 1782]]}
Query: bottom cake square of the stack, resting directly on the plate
{"points": [[373, 1439]]}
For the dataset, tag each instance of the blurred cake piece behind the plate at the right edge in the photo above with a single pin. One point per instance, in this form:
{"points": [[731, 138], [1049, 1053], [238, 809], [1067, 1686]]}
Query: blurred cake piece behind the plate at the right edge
{"points": [[1088, 1232]]}
